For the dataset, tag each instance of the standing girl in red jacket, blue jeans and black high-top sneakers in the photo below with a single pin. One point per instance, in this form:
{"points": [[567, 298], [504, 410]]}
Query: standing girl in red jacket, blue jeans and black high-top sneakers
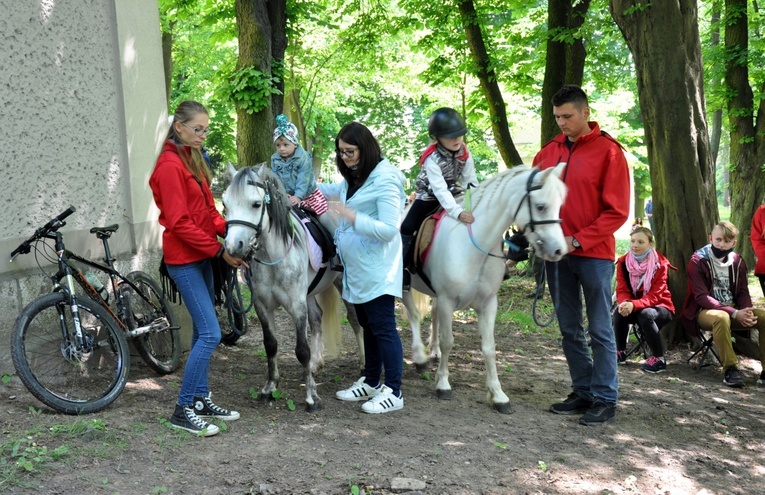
{"points": [[181, 186]]}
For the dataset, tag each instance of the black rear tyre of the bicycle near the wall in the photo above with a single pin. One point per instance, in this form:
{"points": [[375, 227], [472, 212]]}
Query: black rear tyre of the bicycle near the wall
{"points": [[143, 342]]}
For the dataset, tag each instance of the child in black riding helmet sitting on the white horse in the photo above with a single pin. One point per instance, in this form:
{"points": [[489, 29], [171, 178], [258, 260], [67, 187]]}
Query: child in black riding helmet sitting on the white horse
{"points": [[447, 168]]}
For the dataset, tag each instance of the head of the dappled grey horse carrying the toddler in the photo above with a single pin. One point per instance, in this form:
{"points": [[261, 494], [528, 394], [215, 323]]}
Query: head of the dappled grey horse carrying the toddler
{"points": [[255, 204]]}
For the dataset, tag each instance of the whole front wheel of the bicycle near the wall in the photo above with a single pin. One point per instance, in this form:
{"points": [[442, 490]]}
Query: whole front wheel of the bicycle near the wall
{"points": [[70, 378]]}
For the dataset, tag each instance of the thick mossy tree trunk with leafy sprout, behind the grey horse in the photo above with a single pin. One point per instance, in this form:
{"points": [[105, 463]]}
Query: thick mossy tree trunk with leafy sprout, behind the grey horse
{"points": [[253, 132]]}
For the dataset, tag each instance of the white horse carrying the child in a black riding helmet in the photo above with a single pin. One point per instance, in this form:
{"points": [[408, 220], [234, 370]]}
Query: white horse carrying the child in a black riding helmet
{"points": [[466, 269]]}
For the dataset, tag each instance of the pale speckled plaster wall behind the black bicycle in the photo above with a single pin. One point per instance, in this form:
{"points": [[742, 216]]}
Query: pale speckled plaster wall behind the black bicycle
{"points": [[82, 117]]}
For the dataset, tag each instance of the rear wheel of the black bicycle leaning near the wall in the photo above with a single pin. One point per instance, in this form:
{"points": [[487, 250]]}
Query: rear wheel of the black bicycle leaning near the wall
{"points": [[160, 346]]}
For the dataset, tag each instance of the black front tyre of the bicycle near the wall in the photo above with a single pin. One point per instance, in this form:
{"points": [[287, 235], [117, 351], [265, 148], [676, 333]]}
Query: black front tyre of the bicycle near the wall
{"points": [[34, 380]]}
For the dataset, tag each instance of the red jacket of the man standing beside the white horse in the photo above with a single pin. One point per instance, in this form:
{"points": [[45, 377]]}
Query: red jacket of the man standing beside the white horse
{"points": [[598, 181]]}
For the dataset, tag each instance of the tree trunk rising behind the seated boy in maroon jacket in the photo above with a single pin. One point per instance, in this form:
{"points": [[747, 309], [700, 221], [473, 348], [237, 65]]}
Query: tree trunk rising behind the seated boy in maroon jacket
{"points": [[747, 142]]}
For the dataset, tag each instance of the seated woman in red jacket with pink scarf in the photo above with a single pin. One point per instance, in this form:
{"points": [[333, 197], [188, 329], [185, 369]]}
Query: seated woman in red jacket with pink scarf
{"points": [[643, 298]]}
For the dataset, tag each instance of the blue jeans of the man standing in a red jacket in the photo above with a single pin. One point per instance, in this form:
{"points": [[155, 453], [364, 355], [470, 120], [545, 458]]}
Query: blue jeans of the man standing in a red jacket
{"points": [[593, 374]]}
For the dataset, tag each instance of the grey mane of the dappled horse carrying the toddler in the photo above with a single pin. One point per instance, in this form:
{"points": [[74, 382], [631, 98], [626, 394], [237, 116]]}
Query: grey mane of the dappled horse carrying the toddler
{"points": [[278, 208]]}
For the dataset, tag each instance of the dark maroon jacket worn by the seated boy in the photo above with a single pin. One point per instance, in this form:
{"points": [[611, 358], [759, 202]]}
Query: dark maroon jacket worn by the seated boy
{"points": [[700, 285]]}
